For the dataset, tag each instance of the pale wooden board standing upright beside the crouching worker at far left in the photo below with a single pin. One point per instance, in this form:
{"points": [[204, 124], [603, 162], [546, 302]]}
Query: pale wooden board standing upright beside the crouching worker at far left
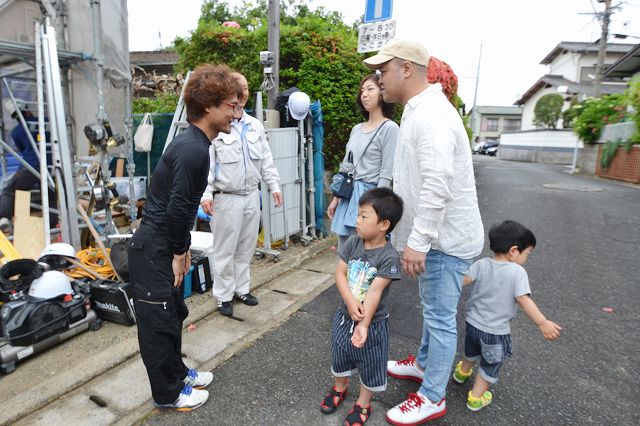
{"points": [[28, 231]]}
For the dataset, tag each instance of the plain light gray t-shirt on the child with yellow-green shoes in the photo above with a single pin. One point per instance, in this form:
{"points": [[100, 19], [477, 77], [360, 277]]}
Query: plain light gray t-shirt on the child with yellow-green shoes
{"points": [[492, 303]]}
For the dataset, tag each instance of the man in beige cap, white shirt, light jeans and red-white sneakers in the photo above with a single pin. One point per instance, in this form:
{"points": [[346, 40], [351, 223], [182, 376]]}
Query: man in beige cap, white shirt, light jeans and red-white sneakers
{"points": [[441, 230]]}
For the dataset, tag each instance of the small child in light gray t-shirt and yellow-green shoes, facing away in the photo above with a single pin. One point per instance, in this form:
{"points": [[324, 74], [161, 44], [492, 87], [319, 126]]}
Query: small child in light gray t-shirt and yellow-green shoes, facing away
{"points": [[500, 283]]}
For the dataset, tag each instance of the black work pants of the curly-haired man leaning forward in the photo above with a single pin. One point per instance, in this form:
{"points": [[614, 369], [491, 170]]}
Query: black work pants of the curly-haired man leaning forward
{"points": [[160, 311]]}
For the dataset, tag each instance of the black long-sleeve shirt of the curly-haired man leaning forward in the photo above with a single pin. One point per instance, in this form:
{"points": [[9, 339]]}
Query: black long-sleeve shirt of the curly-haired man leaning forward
{"points": [[177, 184]]}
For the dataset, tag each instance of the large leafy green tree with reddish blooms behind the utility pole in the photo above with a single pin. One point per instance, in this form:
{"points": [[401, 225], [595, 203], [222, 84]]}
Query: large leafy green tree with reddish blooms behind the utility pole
{"points": [[318, 55]]}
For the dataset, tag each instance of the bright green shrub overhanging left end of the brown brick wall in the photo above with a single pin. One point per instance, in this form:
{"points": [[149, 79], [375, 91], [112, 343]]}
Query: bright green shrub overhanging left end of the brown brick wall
{"points": [[594, 114]]}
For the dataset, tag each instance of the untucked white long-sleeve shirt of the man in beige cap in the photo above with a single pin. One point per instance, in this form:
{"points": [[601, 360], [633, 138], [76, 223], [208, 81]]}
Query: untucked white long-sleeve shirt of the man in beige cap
{"points": [[433, 173]]}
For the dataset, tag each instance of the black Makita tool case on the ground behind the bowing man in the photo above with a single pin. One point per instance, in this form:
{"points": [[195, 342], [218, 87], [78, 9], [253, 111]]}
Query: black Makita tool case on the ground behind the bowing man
{"points": [[113, 301]]}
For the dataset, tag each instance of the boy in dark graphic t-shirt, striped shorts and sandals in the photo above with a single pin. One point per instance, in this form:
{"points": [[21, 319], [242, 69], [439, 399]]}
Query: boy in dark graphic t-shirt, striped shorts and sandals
{"points": [[360, 338]]}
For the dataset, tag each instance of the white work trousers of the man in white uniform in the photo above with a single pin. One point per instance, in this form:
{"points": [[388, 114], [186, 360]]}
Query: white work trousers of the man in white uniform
{"points": [[234, 226]]}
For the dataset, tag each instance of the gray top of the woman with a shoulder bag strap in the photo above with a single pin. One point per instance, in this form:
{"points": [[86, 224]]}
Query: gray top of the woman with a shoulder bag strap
{"points": [[377, 164]]}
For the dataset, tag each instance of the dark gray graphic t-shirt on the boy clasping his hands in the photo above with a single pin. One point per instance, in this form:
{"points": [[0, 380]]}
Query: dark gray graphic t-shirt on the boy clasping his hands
{"points": [[365, 265]]}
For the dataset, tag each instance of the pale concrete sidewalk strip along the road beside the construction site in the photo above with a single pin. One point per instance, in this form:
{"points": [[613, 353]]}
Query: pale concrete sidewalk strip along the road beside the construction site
{"points": [[69, 381]]}
